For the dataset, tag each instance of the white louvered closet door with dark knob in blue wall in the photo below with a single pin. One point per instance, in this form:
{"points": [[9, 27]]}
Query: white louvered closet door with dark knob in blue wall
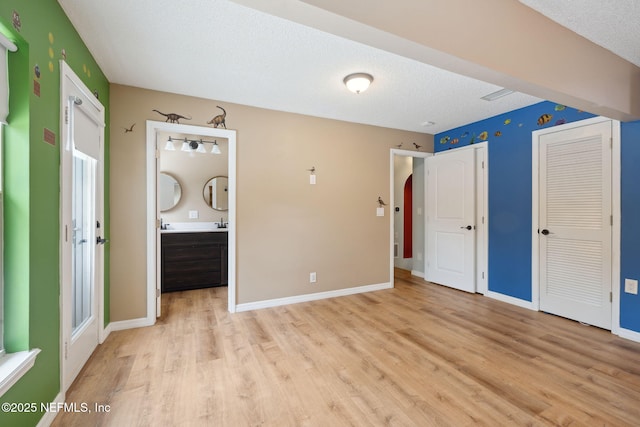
{"points": [[575, 224]]}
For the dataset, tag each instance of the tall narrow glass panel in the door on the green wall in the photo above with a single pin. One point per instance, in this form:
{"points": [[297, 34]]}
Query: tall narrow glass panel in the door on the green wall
{"points": [[84, 239]]}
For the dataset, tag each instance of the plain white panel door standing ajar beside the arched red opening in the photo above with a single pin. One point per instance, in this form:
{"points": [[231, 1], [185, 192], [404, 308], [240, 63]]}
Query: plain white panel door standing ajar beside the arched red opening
{"points": [[451, 217]]}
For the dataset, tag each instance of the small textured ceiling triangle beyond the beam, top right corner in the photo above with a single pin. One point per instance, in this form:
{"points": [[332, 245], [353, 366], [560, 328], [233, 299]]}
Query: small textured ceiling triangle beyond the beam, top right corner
{"points": [[612, 24]]}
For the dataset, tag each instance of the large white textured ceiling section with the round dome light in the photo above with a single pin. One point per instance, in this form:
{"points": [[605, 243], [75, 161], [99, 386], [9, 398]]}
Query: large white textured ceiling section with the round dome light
{"points": [[218, 49]]}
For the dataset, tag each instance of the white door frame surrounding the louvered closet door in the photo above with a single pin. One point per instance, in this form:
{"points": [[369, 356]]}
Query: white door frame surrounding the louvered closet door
{"points": [[615, 210]]}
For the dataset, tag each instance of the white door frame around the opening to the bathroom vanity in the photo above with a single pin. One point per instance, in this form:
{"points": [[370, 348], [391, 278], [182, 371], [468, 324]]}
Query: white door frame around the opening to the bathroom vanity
{"points": [[153, 255]]}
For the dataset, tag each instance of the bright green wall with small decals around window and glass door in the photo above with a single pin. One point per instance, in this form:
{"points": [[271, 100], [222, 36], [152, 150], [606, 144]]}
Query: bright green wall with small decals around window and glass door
{"points": [[32, 168]]}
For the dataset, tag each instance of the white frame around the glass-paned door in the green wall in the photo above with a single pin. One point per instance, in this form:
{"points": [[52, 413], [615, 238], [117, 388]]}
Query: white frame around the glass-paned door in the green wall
{"points": [[69, 82]]}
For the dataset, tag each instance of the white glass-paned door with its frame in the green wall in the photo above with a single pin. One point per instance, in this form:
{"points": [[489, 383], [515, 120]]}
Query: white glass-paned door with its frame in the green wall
{"points": [[82, 252]]}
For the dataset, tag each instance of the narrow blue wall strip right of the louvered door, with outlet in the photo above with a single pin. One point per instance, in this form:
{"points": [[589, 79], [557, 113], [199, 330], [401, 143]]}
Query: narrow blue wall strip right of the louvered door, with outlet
{"points": [[630, 231]]}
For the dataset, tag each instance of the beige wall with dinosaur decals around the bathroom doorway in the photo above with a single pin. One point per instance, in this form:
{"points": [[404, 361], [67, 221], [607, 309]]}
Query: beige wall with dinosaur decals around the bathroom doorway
{"points": [[286, 228]]}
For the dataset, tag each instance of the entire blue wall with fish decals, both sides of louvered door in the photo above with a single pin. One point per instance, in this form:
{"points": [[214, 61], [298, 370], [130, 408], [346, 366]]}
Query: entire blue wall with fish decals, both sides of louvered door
{"points": [[510, 196]]}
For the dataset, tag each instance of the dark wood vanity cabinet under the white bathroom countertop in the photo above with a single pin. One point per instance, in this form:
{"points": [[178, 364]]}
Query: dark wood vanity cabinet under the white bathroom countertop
{"points": [[193, 260]]}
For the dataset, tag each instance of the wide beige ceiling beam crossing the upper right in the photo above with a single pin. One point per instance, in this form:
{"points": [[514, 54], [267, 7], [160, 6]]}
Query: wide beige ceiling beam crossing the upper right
{"points": [[502, 42]]}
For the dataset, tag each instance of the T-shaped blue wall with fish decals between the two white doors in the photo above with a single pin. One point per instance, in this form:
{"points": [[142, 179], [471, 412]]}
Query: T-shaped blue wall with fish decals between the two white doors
{"points": [[510, 186]]}
